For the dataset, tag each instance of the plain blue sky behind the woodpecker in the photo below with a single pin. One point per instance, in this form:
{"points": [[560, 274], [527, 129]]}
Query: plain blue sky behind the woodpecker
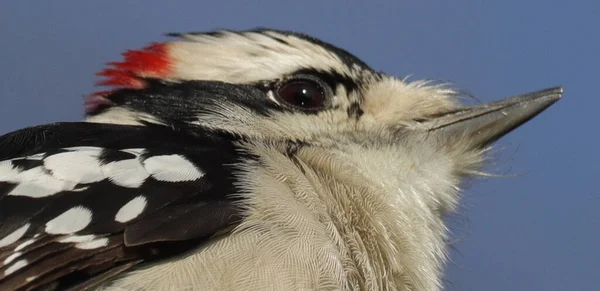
{"points": [[536, 230]]}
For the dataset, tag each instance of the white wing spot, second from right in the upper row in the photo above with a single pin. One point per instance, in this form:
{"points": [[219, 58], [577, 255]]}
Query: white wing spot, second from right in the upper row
{"points": [[126, 173]]}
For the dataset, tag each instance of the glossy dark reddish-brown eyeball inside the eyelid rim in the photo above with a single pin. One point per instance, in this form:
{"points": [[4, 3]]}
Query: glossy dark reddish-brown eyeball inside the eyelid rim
{"points": [[302, 94]]}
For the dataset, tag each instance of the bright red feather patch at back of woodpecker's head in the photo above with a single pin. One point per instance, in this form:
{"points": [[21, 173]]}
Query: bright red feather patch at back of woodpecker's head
{"points": [[150, 62]]}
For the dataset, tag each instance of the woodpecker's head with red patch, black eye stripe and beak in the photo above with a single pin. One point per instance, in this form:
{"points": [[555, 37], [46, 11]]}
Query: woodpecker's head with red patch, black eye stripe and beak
{"points": [[277, 86]]}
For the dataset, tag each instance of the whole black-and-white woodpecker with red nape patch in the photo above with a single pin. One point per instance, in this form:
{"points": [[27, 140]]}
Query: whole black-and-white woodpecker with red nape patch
{"points": [[245, 160]]}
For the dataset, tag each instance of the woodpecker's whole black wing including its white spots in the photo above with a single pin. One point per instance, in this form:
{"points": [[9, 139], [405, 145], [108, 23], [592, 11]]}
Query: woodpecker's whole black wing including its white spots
{"points": [[82, 202]]}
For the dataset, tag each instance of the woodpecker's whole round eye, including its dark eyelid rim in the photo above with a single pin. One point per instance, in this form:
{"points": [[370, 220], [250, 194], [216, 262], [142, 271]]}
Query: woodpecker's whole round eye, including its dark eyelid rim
{"points": [[303, 93]]}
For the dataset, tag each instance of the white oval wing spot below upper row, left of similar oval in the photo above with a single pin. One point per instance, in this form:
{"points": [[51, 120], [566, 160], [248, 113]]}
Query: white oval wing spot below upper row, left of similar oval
{"points": [[72, 220]]}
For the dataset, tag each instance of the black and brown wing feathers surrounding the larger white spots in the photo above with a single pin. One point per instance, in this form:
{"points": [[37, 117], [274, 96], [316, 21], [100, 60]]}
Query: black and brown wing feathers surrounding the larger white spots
{"points": [[177, 216]]}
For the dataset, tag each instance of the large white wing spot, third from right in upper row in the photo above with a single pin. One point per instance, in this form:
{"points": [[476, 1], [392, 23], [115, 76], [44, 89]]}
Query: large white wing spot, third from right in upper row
{"points": [[80, 165]]}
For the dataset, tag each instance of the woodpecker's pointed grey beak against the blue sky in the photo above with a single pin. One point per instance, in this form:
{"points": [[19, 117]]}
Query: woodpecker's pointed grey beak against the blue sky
{"points": [[484, 124]]}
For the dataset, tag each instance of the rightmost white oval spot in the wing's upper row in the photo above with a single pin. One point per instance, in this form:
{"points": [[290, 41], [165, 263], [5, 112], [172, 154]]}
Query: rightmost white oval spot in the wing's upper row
{"points": [[172, 168]]}
